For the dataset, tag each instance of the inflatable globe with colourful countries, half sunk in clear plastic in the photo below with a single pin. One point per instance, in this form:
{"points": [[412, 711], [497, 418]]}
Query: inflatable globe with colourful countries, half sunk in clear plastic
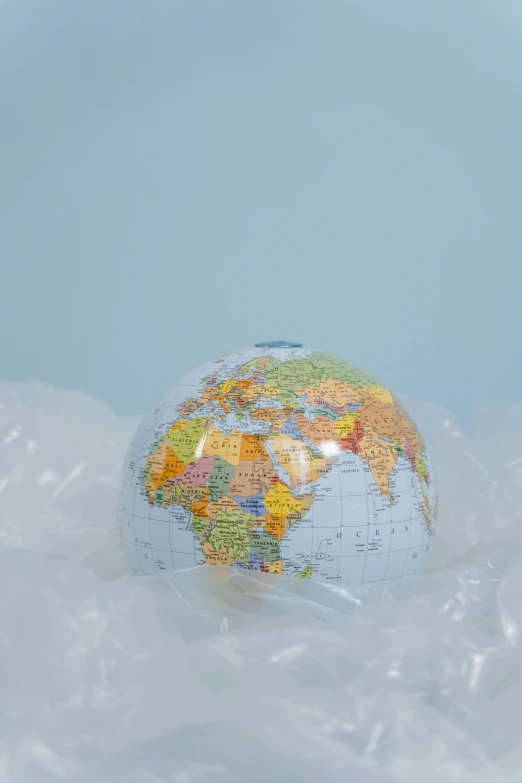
{"points": [[279, 459]]}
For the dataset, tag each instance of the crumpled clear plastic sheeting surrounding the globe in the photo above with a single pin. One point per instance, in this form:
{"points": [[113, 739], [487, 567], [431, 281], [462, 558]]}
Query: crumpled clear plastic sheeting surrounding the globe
{"points": [[221, 675]]}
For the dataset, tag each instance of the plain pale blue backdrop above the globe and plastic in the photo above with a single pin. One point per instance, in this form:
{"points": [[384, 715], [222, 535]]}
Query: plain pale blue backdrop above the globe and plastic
{"points": [[182, 178]]}
